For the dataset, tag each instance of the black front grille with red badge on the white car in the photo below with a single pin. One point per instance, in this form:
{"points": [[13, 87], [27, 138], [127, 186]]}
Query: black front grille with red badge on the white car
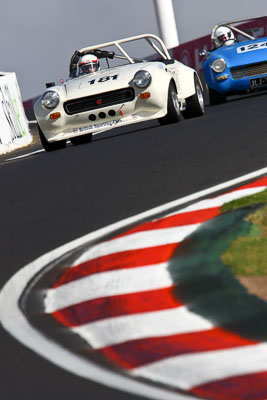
{"points": [[107, 99]]}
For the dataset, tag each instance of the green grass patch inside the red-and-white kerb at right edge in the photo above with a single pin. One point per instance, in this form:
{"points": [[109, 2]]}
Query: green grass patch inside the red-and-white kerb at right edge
{"points": [[247, 255]]}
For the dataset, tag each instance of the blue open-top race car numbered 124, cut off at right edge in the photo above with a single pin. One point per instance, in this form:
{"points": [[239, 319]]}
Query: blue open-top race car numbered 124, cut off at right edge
{"points": [[237, 63]]}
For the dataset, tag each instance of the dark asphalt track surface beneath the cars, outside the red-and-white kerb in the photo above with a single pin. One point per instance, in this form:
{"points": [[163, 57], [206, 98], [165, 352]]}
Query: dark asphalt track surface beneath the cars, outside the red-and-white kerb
{"points": [[48, 199]]}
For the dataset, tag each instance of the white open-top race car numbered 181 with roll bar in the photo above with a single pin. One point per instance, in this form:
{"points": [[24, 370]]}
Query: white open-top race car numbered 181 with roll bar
{"points": [[130, 91]]}
